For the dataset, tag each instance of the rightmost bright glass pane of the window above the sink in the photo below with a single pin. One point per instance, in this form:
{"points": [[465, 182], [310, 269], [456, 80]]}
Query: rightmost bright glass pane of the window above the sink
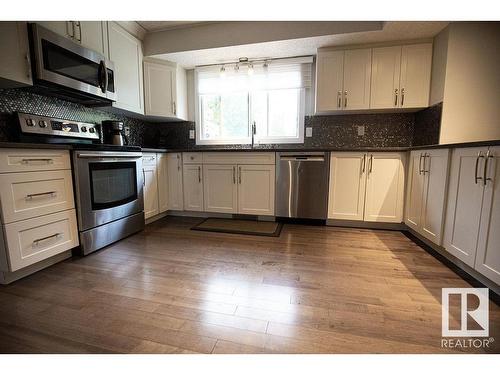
{"points": [[283, 113]]}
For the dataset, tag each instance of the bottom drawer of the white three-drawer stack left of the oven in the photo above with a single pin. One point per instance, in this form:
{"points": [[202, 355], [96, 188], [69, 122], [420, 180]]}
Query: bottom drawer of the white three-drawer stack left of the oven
{"points": [[31, 241]]}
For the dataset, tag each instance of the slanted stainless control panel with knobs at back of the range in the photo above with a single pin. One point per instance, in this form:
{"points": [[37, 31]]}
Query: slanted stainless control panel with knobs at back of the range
{"points": [[48, 126]]}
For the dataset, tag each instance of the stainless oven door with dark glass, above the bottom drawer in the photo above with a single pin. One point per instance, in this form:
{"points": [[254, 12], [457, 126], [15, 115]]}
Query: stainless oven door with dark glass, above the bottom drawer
{"points": [[109, 186]]}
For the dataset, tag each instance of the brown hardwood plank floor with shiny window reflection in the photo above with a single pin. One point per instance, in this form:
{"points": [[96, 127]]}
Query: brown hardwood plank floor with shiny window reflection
{"points": [[171, 290]]}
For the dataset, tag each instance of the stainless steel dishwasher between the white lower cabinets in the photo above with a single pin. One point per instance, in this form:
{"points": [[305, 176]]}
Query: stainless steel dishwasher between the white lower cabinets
{"points": [[302, 184]]}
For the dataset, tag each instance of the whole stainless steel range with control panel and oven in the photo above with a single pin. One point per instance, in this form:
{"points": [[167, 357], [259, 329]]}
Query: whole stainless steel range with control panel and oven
{"points": [[108, 179]]}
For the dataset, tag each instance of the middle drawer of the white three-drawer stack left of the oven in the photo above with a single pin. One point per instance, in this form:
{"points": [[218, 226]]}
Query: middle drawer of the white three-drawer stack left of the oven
{"points": [[31, 194]]}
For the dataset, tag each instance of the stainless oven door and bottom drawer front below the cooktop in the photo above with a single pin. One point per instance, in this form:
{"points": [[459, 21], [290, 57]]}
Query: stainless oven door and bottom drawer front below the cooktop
{"points": [[109, 196]]}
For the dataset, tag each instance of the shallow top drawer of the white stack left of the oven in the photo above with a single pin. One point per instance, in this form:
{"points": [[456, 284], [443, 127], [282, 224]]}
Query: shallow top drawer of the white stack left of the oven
{"points": [[26, 160]]}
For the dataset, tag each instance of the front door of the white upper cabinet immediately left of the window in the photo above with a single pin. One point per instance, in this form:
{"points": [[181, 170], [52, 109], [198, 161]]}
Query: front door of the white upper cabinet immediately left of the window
{"points": [[159, 89]]}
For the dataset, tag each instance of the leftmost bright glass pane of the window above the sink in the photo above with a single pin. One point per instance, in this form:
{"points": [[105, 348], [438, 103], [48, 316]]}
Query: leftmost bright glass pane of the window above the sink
{"points": [[224, 116]]}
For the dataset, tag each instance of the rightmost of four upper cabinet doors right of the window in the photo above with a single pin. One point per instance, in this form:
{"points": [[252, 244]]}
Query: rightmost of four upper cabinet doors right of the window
{"points": [[415, 81]]}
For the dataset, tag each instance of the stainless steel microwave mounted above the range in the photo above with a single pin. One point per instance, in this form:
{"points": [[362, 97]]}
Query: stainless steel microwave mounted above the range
{"points": [[65, 69]]}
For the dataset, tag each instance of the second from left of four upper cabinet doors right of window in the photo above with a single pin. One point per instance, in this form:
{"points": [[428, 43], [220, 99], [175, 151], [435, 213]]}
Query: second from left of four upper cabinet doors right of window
{"points": [[357, 76]]}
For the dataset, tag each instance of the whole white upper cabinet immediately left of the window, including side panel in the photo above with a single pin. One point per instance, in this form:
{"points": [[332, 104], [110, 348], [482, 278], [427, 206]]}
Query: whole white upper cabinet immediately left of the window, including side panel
{"points": [[165, 89]]}
